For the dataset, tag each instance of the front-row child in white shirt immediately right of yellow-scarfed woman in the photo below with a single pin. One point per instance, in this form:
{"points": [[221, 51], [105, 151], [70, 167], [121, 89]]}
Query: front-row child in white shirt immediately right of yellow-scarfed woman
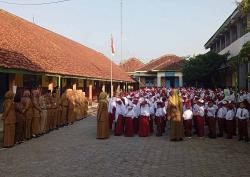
{"points": [[188, 116]]}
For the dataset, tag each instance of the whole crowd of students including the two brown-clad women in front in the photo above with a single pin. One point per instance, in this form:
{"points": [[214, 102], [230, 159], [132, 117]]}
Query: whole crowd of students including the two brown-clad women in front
{"points": [[188, 110]]}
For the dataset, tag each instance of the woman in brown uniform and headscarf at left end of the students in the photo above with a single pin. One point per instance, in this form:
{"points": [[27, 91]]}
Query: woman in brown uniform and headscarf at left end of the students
{"points": [[102, 117]]}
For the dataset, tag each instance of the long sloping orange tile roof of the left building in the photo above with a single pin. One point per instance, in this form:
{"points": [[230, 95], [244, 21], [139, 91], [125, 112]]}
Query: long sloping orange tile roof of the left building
{"points": [[24, 45]]}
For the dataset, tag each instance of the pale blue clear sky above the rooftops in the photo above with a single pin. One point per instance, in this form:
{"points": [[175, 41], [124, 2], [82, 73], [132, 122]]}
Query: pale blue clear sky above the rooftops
{"points": [[151, 28]]}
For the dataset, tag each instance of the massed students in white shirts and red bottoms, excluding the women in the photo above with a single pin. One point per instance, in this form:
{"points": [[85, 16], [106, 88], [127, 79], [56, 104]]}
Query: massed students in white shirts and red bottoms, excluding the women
{"points": [[137, 112]]}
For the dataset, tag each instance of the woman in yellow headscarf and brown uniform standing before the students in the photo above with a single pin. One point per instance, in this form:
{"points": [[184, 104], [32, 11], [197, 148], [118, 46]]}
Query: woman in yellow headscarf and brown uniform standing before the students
{"points": [[175, 116]]}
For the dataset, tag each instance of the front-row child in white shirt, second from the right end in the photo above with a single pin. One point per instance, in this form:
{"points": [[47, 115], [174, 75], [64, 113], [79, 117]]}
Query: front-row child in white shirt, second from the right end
{"points": [[229, 120]]}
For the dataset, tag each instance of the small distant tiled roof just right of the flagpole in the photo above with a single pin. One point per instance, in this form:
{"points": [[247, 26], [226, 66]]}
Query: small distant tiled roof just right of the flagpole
{"points": [[131, 65]]}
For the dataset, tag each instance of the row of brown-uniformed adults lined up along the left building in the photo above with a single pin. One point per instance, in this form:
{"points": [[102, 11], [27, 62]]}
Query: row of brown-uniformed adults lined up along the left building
{"points": [[31, 113]]}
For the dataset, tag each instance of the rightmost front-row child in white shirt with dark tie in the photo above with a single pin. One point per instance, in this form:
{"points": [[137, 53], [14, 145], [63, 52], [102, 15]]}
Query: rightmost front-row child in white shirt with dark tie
{"points": [[242, 115]]}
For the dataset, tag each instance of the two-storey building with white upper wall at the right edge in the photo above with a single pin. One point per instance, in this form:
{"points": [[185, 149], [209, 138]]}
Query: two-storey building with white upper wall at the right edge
{"points": [[230, 38]]}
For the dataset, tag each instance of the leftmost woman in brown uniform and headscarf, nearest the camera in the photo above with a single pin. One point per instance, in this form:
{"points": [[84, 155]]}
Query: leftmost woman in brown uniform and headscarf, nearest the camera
{"points": [[9, 119]]}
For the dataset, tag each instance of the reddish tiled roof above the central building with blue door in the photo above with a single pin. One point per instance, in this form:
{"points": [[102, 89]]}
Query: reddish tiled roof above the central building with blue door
{"points": [[164, 63]]}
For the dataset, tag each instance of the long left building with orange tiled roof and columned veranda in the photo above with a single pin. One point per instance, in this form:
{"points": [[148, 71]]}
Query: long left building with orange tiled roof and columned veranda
{"points": [[32, 57]]}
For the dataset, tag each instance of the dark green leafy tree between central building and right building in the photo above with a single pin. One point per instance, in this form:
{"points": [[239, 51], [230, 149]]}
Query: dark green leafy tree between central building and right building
{"points": [[201, 70]]}
